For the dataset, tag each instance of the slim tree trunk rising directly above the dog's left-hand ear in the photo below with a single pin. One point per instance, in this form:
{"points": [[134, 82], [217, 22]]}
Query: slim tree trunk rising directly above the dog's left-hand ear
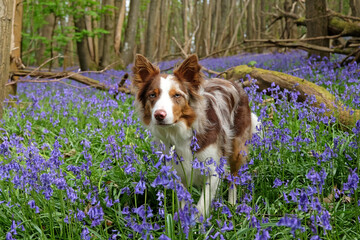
{"points": [[150, 29]]}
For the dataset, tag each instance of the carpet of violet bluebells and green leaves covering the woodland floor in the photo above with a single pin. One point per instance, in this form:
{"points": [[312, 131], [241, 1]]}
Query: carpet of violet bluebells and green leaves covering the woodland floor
{"points": [[76, 163]]}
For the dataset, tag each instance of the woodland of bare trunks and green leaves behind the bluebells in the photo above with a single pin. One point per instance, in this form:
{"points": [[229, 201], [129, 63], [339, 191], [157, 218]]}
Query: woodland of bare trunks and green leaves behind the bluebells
{"points": [[104, 34]]}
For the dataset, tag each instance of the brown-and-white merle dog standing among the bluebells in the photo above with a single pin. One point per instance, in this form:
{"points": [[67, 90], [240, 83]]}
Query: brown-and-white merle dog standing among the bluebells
{"points": [[173, 107]]}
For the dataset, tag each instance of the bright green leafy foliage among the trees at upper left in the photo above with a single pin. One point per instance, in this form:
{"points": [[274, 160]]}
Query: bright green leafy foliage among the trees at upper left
{"points": [[34, 19]]}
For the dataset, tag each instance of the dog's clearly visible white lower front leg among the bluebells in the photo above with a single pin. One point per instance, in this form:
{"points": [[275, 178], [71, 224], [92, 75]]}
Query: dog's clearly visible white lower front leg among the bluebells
{"points": [[207, 194]]}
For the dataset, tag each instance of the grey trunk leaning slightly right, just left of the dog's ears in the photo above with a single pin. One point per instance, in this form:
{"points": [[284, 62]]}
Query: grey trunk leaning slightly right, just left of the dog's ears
{"points": [[127, 52]]}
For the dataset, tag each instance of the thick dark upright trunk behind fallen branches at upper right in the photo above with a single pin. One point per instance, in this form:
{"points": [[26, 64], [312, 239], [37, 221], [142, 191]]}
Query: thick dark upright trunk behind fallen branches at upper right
{"points": [[317, 24]]}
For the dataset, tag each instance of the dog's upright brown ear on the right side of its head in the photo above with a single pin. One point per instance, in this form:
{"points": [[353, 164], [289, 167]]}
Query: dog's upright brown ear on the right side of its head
{"points": [[189, 70]]}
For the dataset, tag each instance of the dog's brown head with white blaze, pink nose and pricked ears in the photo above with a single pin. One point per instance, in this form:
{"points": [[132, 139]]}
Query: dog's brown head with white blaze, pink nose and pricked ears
{"points": [[165, 99]]}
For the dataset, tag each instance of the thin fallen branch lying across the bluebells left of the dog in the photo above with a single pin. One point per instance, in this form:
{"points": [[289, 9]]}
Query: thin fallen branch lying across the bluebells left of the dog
{"points": [[59, 76]]}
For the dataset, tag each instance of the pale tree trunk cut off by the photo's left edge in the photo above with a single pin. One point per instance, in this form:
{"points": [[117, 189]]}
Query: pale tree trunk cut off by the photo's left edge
{"points": [[6, 16]]}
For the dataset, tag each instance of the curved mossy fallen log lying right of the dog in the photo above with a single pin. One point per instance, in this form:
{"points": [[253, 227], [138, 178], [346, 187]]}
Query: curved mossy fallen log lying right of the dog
{"points": [[266, 77]]}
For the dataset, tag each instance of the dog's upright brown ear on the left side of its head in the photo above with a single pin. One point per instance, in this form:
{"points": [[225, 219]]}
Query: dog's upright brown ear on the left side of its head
{"points": [[143, 70]]}
